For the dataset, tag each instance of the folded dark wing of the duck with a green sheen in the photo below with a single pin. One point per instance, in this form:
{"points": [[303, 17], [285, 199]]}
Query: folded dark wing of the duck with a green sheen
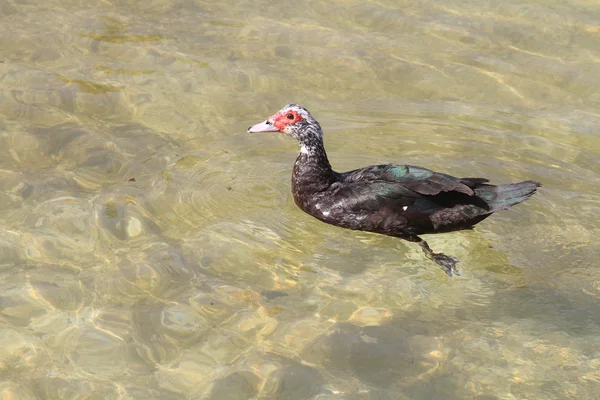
{"points": [[403, 200]]}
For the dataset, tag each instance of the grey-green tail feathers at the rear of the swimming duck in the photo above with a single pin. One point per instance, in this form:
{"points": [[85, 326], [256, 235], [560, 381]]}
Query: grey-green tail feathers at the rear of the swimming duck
{"points": [[505, 196]]}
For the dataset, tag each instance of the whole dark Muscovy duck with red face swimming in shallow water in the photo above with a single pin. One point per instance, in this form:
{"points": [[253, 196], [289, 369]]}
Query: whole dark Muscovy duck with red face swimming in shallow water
{"points": [[402, 201]]}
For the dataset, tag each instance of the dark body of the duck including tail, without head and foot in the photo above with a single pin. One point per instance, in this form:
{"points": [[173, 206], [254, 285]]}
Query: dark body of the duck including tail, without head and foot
{"points": [[401, 200]]}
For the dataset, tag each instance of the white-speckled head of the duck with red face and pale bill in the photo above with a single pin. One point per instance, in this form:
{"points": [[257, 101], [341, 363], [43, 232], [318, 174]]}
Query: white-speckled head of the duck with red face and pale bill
{"points": [[292, 120]]}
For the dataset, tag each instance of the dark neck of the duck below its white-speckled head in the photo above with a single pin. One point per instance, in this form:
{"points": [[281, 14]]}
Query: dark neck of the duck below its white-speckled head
{"points": [[312, 171]]}
